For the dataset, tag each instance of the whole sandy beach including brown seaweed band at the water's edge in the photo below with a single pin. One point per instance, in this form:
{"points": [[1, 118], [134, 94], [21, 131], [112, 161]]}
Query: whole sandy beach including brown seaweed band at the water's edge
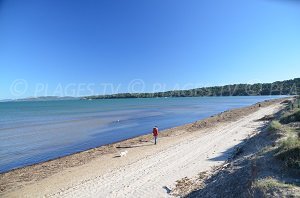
{"points": [[147, 170]]}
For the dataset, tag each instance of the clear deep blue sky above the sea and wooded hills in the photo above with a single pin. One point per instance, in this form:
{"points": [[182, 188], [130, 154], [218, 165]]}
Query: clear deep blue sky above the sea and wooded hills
{"points": [[88, 47]]}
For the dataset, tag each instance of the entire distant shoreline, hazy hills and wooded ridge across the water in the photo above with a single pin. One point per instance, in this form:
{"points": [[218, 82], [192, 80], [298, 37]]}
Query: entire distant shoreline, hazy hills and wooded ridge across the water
{"points": [[281, 88]]}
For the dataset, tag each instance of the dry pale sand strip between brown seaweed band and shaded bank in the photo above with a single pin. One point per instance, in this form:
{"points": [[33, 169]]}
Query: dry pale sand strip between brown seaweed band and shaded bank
{"points": [[150, 170]]}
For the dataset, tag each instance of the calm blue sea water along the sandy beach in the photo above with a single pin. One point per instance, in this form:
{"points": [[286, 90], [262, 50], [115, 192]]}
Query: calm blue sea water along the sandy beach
{"points": [[32, 132]]}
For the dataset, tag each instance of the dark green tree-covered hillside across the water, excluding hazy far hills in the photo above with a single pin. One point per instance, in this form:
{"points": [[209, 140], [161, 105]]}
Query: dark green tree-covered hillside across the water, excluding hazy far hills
{"points": [[287, 87]]}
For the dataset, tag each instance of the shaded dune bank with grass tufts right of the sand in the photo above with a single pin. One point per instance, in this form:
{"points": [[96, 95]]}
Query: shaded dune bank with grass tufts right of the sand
{"points": [[266, 165]]}
